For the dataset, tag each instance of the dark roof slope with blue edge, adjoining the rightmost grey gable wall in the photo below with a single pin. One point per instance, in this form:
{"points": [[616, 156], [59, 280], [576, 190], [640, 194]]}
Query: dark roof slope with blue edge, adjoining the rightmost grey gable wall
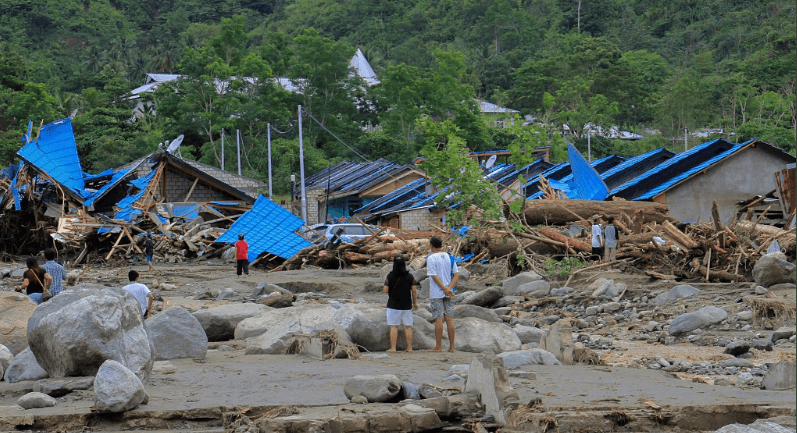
{"points": [[674, 167]]}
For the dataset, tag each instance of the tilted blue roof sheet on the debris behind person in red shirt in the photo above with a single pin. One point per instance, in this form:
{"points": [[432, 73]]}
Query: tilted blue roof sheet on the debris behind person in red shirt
{"points": [[268, 228]]}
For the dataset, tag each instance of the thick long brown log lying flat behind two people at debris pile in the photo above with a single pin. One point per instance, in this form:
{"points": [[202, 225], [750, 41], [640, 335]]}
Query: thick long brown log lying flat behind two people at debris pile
{"points": [[551, 212]]}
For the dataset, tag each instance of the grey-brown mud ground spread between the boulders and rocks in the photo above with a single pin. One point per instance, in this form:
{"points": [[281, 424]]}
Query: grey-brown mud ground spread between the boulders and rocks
{"points": [[225, 379]]}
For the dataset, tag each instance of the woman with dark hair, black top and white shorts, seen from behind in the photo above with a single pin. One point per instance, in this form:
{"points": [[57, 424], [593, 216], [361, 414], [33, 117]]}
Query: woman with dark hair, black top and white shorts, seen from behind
{"points": [[402, 300]]}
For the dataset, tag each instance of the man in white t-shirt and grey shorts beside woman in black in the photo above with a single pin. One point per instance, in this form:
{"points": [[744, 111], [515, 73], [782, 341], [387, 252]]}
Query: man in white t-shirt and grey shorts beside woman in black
{"points": [[443, 273]]}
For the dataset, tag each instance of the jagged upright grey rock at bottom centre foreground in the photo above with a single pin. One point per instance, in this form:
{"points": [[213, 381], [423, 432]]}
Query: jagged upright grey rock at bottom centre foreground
{"points": [[488, 378]]}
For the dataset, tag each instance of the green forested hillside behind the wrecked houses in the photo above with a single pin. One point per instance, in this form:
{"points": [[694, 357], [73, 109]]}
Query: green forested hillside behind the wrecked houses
{"points": [[638, 64]]}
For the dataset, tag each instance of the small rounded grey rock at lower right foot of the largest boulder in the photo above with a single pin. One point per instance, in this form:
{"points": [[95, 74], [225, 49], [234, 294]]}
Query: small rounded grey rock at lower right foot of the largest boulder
{"points": [[117, 389]]}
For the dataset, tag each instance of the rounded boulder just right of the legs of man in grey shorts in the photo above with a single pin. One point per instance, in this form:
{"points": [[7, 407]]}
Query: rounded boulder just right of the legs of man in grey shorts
{"points": [[477, 335]]}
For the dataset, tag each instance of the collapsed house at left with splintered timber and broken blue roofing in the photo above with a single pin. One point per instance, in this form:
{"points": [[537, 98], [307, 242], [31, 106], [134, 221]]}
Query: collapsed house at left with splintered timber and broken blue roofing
{"points": [[185, 205]]}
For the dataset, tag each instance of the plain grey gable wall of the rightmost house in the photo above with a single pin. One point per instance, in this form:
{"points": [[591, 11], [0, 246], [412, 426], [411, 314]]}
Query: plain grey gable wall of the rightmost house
{"points": [[740, 177]]}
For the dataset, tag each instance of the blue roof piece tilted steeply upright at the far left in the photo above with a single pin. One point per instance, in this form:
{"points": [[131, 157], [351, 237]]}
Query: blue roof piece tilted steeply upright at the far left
{"points": [[55, 152]]}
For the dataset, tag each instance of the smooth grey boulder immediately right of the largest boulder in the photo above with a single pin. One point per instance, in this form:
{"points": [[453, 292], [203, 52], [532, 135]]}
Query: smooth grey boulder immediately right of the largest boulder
{"points": [[176, 333]]}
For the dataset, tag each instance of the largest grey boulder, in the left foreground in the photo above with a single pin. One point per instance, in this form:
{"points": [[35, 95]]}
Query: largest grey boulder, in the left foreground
{"points": [[78, 330]]}
